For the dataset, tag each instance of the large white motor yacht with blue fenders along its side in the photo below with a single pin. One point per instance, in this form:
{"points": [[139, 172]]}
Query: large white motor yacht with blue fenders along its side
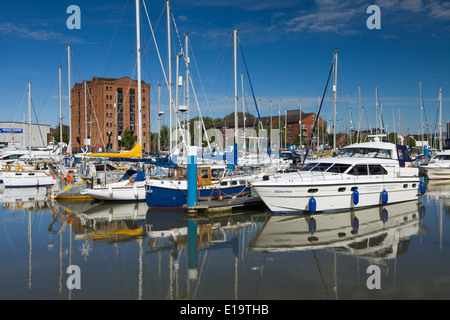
{"points": [[362, 175]]}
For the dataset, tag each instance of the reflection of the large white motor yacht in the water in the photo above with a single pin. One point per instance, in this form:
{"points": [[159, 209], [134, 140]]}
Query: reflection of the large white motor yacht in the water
{"points": [[375, 234]]}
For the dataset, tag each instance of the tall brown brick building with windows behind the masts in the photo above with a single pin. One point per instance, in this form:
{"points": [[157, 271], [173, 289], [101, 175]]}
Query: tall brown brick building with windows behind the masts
{"points": [[103, 108]]}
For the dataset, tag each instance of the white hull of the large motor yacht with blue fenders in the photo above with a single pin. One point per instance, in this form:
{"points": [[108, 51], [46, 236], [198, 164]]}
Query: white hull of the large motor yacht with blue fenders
{"points": [[296, 198]]}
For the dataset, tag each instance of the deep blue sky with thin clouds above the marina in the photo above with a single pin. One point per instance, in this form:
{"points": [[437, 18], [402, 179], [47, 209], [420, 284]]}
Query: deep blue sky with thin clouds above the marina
{"points": [[288, 47]]}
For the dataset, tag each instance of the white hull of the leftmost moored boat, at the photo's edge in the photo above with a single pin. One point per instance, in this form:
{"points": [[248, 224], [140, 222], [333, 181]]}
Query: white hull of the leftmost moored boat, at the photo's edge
{"points": [[36, 178]]}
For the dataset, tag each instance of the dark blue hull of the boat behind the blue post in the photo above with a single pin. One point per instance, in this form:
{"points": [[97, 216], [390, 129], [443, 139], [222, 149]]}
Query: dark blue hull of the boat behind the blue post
{"points": [[171, 198]]}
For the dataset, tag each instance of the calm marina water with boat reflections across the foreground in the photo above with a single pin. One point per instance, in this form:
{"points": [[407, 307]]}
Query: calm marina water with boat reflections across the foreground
{"points": [[124, 251]]}
